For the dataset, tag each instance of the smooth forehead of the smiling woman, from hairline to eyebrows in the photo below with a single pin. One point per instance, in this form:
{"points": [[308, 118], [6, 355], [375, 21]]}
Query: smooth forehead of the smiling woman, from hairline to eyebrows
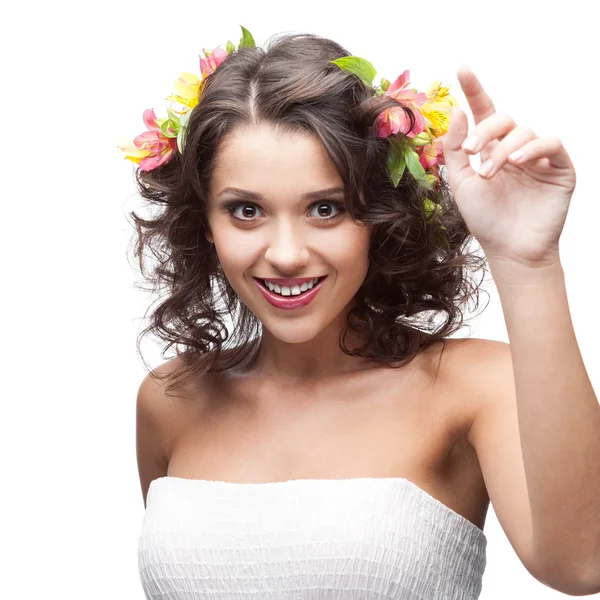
{"points": [[262, 158]]}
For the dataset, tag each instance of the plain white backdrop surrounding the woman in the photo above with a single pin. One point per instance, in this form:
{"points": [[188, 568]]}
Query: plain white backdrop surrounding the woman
{"points": [[77, 77]]}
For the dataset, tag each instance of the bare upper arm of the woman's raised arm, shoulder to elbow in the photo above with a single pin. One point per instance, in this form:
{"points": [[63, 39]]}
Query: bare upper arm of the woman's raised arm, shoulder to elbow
{"points": [[494, 434]]}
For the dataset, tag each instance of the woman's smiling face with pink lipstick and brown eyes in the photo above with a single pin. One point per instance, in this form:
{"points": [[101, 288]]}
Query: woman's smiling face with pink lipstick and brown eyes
{"points": [[279, 232]]}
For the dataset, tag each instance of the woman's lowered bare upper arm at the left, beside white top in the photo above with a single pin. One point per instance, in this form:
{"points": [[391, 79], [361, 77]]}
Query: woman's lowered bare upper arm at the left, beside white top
{"points": [[152, 439]]}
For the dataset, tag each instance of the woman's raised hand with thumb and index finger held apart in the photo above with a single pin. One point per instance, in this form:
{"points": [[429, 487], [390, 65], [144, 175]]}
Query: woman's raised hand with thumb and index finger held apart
{"points": [[516, 212]]}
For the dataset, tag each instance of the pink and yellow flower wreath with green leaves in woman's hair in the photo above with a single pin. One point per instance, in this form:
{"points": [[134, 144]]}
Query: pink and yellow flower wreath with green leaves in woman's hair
{"points": [[418, 148]]}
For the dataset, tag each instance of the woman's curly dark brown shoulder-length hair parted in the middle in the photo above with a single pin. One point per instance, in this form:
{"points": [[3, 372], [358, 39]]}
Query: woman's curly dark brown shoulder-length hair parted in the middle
{"points": [[413, 276]]}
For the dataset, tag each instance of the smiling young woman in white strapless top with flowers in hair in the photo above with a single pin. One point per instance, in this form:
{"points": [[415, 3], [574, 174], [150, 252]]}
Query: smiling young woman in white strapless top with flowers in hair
{"points": [[333, 442]]}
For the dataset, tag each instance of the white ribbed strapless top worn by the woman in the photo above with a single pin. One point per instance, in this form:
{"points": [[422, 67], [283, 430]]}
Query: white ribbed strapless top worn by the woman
{"points": [[364, 538]]}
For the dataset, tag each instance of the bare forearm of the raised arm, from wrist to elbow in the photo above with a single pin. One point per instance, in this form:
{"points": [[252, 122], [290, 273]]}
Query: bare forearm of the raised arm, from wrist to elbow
{"points": [[558, 413]]}
